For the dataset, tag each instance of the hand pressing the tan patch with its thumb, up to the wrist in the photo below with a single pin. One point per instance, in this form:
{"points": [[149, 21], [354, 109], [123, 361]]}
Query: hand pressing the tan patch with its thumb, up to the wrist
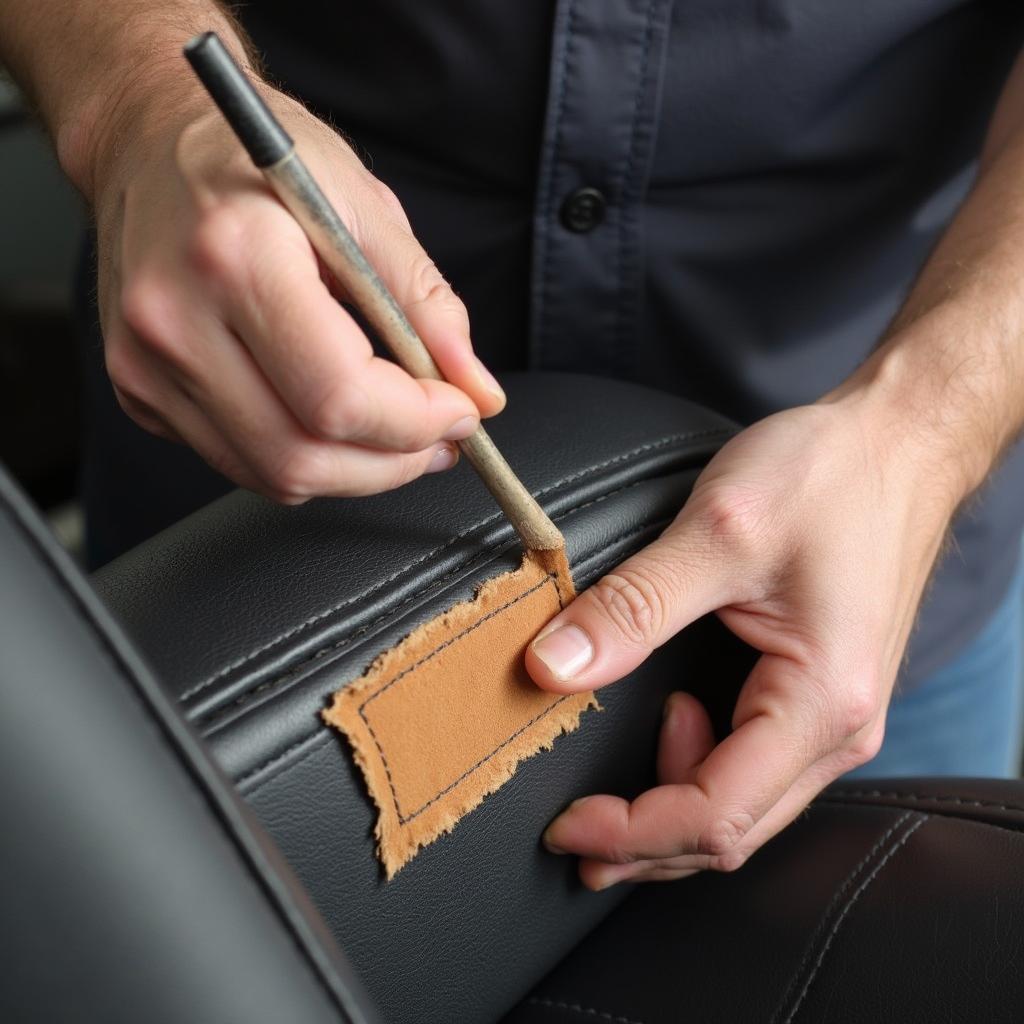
{"points": [[813, 535]]}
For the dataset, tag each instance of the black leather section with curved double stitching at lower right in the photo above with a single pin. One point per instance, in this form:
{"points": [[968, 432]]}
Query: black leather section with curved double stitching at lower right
{"points": [[899, 902]]}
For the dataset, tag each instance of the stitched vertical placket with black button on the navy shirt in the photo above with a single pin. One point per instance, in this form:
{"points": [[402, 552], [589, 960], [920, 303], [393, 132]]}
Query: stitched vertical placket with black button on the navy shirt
{"points": [[600, 136]]}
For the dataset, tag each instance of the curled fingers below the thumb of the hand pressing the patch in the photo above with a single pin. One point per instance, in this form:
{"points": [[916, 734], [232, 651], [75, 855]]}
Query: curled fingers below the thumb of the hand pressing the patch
{"points": [[717, 805]]}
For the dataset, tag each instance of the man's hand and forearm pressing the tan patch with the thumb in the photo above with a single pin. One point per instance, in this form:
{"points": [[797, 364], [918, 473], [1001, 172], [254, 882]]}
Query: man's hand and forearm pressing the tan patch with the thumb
{"points": [[813, 536]]}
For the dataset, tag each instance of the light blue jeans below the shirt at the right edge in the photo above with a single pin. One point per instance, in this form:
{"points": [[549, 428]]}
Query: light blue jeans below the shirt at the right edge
{"points": [[967, 719]]}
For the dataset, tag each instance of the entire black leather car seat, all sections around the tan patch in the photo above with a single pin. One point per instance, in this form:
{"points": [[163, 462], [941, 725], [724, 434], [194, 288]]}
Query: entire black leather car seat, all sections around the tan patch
{"points": [[200, 847]]}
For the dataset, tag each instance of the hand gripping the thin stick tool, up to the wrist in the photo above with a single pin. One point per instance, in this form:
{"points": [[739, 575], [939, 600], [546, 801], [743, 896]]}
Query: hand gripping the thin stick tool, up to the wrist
{"points": [[223, 330]]}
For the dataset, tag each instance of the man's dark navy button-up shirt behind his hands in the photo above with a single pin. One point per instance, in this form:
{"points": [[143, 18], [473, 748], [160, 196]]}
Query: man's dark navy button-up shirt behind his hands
{"points": [[727, 199]]}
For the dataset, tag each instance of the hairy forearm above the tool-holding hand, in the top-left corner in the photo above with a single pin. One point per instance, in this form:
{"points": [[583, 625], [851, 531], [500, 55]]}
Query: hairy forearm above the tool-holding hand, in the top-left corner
{"points": [[99, 69]]}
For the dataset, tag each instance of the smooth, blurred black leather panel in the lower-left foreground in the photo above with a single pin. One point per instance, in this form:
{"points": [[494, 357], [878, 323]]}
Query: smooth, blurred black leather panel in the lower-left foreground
{"points": [[134, 884]]}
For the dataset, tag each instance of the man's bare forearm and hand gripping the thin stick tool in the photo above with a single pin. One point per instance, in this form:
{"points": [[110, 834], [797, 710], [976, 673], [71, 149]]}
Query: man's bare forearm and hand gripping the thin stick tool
{"points": [[219, 329]]}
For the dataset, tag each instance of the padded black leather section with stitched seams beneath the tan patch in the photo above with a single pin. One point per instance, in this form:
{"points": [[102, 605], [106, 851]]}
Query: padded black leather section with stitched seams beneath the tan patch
{"points": [[254, 615]]}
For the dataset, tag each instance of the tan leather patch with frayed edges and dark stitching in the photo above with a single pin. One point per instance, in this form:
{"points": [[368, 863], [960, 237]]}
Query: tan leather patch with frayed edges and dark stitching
{"points": [[443, 720]]}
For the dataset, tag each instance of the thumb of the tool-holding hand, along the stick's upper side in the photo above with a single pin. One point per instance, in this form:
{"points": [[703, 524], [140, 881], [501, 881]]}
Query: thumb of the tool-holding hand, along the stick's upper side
{"points": [[438, 315]]}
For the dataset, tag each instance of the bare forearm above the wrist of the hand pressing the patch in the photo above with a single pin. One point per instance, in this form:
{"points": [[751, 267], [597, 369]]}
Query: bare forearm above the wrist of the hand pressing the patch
{"points": [[952, 367]]}
